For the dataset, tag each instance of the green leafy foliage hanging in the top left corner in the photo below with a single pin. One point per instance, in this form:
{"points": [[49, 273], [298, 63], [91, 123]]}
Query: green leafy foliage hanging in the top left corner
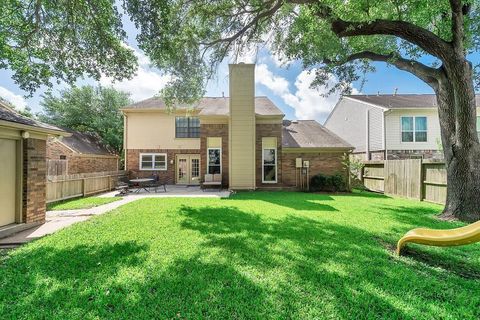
{"points": [[62, 40]]}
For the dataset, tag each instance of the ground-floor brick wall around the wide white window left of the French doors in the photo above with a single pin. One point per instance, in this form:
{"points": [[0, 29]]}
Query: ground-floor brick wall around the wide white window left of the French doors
{"points": [[167, 176]]}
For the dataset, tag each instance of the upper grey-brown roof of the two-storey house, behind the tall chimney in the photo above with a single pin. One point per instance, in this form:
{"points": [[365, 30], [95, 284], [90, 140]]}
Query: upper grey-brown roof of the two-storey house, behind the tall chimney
{"points": [[210, 106]]}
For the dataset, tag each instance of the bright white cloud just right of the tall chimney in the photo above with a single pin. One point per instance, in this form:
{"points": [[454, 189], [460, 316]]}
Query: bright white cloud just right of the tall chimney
{"points": [[308, 103]]}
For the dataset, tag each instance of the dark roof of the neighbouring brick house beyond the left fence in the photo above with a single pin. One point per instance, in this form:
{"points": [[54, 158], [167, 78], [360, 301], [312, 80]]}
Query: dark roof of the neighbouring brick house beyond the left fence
{"points": [[86, 143]]}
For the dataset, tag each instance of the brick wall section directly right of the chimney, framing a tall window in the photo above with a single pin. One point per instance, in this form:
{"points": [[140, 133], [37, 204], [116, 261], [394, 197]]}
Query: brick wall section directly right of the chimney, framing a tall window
{"points": [[268, 130]]}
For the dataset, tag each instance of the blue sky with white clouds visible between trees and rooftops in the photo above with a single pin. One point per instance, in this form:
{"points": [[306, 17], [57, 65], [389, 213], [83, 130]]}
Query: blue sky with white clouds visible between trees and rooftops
{"points": [[286, 84]]}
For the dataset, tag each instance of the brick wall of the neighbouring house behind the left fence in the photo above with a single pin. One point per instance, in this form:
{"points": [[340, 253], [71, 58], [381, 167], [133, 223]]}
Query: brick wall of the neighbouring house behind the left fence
{"points": [[81, 163]]}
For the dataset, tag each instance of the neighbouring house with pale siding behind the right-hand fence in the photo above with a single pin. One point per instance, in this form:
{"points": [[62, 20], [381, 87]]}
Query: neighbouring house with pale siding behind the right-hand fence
{"points": [[396, 126]]}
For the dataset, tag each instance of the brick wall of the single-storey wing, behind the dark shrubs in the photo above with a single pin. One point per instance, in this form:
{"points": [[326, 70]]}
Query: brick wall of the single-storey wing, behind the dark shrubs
{"points": [[323, 162]]}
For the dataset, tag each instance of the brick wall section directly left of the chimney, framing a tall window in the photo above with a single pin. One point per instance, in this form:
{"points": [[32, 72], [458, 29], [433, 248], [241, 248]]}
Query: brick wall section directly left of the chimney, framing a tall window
{"points": [[214, 130]]}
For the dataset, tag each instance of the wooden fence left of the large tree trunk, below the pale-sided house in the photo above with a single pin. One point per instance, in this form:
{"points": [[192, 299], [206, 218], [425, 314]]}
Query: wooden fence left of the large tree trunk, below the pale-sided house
{"points": [[424, 180]]}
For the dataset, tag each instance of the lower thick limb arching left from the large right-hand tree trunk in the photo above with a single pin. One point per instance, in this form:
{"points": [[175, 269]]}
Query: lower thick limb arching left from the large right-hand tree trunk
{"points": [[428, 74]]}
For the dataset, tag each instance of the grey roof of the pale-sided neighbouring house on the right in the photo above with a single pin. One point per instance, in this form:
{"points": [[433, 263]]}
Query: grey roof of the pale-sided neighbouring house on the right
{"points": [[401, 101]]}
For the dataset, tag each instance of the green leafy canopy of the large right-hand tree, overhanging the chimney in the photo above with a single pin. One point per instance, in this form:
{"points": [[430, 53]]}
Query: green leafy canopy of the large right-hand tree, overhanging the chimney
{"points": [[190, 38]]}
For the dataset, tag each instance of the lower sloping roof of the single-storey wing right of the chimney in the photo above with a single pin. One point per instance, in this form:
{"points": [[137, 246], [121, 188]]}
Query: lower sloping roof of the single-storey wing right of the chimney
{"points": [[310, 134]]}
